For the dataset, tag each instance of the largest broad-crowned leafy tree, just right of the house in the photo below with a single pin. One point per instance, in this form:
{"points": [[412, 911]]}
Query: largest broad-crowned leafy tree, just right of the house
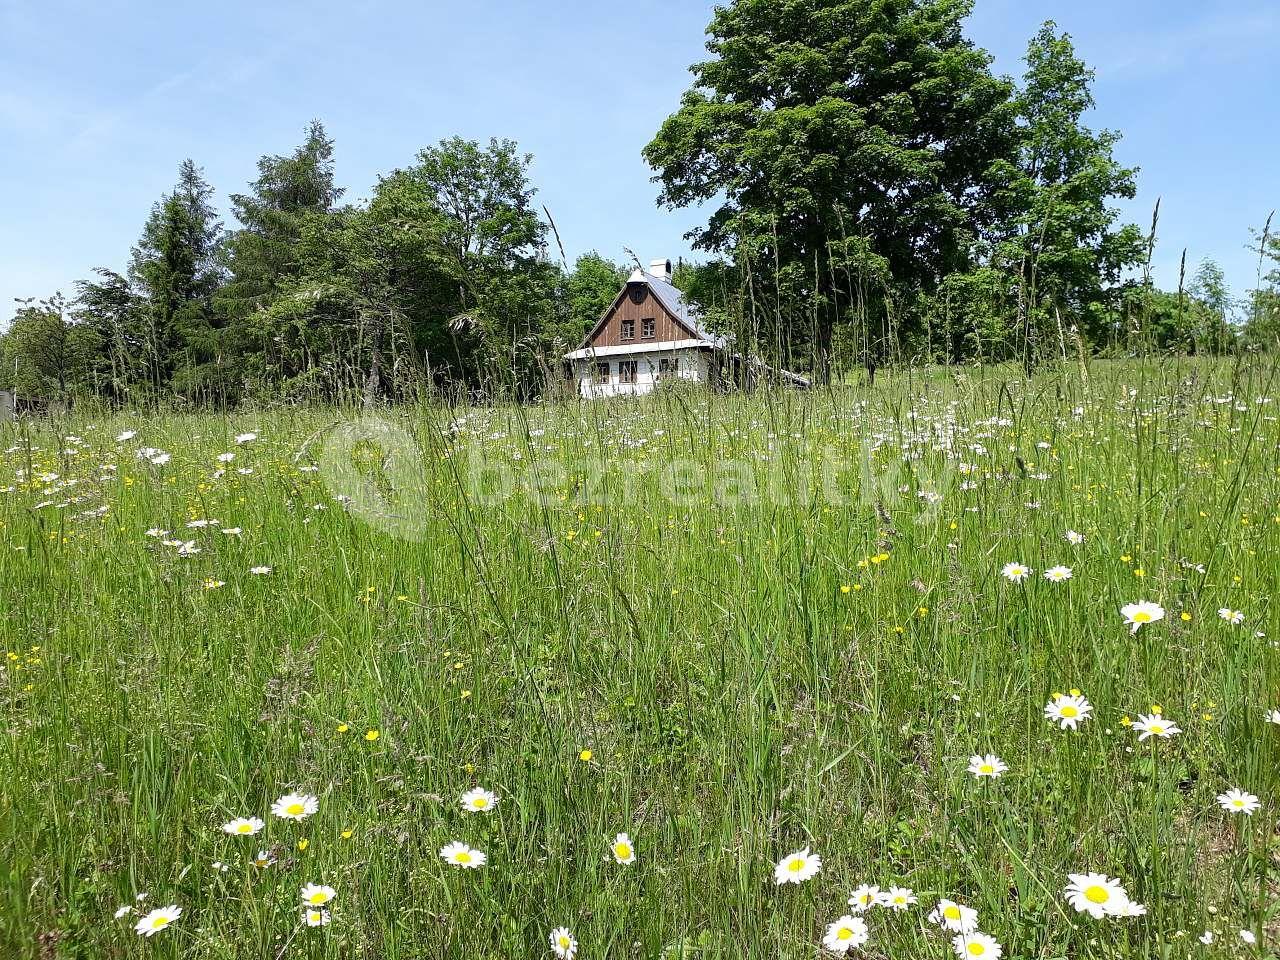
{"points": [[819, 122]]}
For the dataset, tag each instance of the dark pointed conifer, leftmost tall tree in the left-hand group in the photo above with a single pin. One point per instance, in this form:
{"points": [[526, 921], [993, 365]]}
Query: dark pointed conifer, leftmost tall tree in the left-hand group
{"points": [[176, 268]]}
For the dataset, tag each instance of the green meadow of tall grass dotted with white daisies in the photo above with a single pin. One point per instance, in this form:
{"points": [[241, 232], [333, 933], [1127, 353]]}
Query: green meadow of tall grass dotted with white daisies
{"points": [[857, 670]]}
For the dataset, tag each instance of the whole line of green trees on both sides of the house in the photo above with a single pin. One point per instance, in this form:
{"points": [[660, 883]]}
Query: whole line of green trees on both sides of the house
{"points": [[879, 196]]}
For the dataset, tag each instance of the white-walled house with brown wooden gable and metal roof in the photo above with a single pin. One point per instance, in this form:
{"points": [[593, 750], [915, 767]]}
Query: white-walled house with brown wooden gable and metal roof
{"points": [[647, 336]]}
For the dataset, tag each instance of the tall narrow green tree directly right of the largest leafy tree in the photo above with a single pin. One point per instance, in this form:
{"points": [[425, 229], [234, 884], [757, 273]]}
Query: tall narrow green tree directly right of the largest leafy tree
{"points": [[1060, 237]]}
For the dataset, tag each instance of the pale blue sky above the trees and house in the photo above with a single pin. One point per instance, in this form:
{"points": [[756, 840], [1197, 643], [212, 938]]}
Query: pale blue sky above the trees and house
{"points": [[100, 102]]}
